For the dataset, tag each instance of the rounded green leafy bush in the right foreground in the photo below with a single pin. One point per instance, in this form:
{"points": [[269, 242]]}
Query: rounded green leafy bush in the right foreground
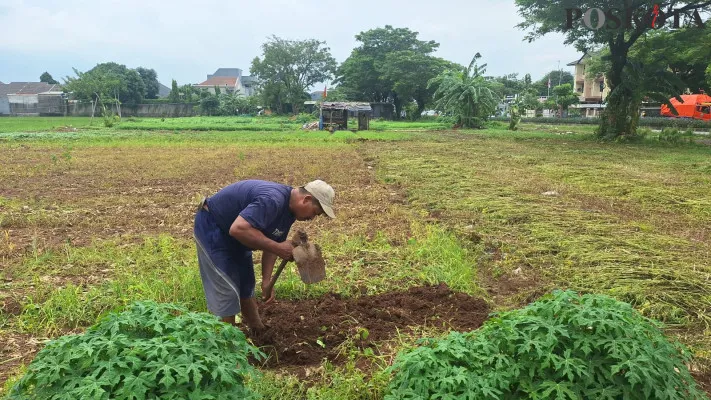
{"points": [[564, 346]]}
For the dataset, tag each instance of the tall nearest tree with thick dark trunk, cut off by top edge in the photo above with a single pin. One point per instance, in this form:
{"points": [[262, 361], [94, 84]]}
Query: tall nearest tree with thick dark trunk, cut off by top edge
{"points": [[545, 16]]}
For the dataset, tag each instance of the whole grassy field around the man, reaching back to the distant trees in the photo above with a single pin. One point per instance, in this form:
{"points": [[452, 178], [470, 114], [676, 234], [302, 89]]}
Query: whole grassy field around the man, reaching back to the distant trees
{"points": [[95, 218]]}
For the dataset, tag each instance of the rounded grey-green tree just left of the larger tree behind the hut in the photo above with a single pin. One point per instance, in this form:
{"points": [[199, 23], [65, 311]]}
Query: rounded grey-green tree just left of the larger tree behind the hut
{"points": [[293, 66]]}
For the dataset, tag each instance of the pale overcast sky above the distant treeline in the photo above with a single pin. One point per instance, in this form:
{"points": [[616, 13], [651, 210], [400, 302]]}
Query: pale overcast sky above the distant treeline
{"points": [[186, 40]]}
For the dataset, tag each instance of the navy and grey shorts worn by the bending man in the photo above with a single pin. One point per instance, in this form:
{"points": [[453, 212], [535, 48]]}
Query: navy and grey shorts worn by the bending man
{"points": [[227, 275]]}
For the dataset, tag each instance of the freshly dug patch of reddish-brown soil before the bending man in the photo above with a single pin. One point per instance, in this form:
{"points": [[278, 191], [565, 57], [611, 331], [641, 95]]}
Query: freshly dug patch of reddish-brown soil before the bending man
{"points": [[304, 333]]}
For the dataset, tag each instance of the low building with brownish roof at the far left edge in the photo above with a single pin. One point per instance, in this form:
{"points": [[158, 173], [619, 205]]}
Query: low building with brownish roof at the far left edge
{"points": [[32, 98]]}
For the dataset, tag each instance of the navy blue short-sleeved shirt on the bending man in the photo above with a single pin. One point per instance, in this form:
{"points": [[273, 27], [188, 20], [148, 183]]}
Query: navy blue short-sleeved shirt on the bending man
{"points": [[265, 205]]}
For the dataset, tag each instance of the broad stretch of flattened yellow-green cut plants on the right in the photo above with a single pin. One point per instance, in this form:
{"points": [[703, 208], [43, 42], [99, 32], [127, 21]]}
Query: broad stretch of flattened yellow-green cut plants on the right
{"points": [[629, 220]]}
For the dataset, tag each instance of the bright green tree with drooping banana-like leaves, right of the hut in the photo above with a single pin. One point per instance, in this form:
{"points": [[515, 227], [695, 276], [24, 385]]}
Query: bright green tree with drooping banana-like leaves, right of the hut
{"points": [[466, 94]]}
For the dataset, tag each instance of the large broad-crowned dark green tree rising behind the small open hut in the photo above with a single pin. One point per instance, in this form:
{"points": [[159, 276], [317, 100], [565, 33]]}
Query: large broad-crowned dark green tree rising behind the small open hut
{"points": [[368, 74]]}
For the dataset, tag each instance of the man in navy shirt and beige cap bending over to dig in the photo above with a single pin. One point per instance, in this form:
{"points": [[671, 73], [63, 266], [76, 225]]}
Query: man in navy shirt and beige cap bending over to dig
{"points": [[245, 216]]}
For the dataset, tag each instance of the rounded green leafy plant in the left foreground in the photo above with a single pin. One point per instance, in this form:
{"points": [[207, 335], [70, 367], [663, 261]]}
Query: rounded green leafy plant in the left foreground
{"points": [[157, 351]]}
